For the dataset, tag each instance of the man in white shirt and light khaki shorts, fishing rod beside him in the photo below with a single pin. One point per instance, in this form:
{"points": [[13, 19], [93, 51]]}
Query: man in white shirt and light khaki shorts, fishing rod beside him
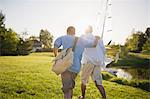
{"points": [[89, 67]]}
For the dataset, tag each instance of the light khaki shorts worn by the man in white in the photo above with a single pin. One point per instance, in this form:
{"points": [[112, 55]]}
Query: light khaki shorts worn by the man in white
{"points": [[93, 71]]}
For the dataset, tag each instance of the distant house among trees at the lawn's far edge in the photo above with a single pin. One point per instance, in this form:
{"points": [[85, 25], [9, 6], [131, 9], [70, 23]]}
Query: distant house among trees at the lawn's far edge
{"points": [[36, 45]]}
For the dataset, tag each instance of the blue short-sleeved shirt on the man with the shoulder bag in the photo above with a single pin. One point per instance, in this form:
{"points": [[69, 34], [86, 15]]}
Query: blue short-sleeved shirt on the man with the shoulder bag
{"points": [[67, 41]]}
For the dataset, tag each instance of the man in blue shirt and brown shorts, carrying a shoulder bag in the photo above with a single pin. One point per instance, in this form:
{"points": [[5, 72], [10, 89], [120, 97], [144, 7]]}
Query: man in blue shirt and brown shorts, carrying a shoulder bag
{"points": [[68, 77]]}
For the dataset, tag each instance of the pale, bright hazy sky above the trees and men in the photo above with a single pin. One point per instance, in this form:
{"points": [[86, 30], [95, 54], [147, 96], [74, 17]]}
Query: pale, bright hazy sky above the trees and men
{"points": [[57, 15]]}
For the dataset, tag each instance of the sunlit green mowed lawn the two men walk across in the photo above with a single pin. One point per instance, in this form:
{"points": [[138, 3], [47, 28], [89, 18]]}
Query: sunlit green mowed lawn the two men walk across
{"points": [[30, 77]]}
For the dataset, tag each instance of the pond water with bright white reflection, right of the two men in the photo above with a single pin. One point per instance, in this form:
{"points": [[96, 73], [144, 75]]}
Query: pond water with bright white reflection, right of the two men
{"points": [[131, 73]]}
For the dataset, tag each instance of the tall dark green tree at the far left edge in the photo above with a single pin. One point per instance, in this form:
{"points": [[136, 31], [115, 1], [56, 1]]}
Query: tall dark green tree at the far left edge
{"points": [[8, 38]]}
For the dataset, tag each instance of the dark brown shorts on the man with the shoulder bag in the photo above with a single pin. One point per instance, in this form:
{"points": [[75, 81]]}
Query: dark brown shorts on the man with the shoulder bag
{"points": [[68, 80]]}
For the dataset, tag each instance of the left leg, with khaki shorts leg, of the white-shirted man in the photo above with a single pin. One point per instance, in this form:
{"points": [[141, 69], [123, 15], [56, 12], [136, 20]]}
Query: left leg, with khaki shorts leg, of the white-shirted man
{"points": [[86, 72]]}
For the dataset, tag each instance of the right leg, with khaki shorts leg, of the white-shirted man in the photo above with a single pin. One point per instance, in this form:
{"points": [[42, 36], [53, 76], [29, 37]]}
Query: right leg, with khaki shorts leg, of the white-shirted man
{"points": [[97, 78]]}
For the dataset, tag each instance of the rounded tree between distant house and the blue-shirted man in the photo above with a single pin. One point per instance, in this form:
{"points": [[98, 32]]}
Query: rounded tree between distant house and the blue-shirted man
{"points": [[46, 38]]}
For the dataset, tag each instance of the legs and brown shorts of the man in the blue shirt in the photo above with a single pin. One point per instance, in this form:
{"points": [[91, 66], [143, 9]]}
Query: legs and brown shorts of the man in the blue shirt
{"points": [[68, 82]]}
